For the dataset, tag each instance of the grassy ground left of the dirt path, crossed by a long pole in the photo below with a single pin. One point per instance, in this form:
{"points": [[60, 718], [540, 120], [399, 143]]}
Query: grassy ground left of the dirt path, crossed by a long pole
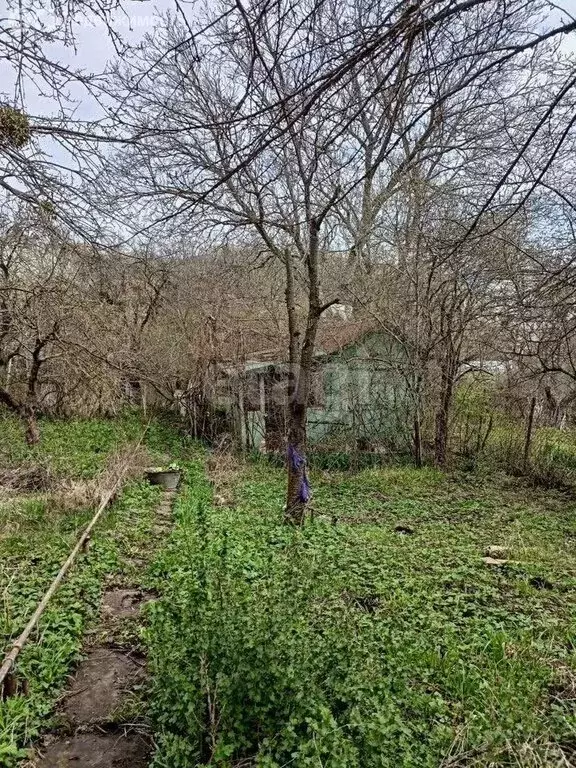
{"points": [[38, 530]]}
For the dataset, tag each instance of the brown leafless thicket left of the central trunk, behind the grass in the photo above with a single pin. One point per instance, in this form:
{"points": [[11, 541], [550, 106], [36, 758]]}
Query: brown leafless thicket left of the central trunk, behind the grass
{"points": [[86, 331]]}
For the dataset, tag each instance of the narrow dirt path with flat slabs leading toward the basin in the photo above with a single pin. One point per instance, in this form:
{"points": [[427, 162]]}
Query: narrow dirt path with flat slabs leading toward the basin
{"points": [[102, 716]]}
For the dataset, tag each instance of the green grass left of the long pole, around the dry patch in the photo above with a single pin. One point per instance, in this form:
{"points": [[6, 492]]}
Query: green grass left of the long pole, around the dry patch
{"points": [[37, 531]]}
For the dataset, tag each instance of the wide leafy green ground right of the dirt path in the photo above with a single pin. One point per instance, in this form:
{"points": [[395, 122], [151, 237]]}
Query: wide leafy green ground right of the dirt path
{"points": [[351, 644]]}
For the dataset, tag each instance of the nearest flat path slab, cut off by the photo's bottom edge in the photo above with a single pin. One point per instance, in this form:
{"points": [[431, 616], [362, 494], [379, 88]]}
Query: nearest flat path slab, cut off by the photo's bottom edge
{"points": [[95, 750]]}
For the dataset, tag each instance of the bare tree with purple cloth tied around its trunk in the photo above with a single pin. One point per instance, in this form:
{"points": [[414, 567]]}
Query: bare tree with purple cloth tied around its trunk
{"points": [[284, 198]]}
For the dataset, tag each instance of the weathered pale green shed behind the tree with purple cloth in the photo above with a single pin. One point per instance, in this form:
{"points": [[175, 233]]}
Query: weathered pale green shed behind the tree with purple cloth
{"points": [[358, 396]]}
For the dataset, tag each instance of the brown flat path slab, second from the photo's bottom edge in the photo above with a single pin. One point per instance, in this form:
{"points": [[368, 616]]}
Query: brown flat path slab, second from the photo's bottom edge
{"points": [[101, 682]]}
